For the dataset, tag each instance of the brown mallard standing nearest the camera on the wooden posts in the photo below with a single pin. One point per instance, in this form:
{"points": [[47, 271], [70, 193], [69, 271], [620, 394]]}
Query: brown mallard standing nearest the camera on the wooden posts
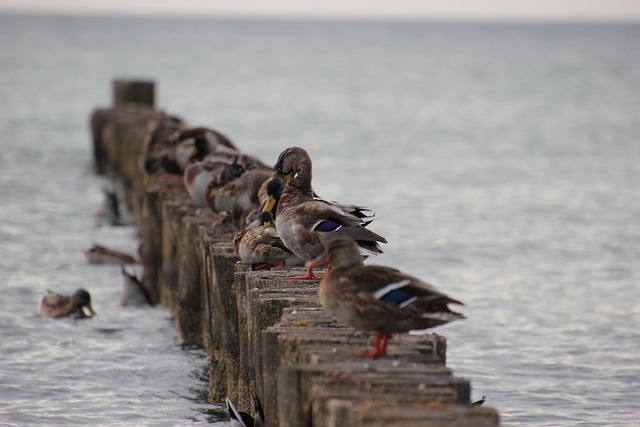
{"points": [[378, 298]]}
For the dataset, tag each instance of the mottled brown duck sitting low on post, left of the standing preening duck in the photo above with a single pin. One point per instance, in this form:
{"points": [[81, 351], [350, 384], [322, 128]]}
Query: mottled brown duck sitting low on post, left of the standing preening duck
{"points": [[260, 246]]}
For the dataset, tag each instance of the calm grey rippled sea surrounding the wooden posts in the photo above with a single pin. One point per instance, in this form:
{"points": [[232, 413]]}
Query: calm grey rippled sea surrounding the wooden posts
{"points": [[503, 162]]}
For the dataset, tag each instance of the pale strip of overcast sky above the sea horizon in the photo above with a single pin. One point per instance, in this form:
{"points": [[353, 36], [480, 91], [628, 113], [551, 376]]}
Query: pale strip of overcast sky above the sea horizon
{"points": [[474, 9]]}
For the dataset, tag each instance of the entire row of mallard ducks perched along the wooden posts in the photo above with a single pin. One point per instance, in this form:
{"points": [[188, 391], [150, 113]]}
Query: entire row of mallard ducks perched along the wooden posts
{"points": [[282, 221]]}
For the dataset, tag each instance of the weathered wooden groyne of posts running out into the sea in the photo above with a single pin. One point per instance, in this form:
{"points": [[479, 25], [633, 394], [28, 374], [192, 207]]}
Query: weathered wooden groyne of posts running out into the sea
{"points": [[264, 333]]}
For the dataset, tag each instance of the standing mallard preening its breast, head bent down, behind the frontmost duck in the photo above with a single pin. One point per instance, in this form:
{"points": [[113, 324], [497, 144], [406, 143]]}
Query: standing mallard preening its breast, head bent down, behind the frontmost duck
{"points": [[305, 223]]}
